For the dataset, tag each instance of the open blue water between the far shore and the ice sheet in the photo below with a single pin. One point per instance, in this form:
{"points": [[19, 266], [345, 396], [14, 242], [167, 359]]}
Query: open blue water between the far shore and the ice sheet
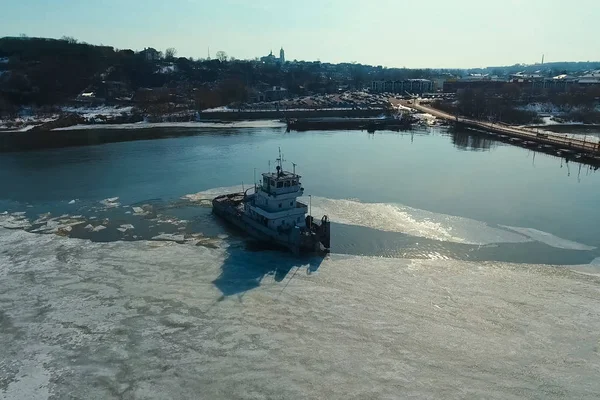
{"points": [[419, 194]]}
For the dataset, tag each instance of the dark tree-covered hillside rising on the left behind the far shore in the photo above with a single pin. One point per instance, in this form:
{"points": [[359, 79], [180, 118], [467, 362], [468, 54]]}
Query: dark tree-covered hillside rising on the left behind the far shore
{"points": [[44, 72]]}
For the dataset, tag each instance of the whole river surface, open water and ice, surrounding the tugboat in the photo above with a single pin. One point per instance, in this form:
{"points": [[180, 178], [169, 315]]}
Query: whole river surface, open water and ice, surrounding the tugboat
{"points": [[460, 268]]}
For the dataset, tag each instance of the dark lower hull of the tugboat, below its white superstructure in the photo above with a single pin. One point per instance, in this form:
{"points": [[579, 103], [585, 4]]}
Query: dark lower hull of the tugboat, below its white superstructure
{"points": [[315, 238]]}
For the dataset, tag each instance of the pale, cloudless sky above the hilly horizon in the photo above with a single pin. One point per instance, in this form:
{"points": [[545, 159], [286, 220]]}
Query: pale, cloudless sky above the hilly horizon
{"points": [[393, 33]]}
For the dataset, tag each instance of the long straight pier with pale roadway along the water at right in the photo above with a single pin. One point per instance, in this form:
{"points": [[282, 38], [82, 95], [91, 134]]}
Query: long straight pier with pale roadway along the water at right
{"points": [[581, 150]]}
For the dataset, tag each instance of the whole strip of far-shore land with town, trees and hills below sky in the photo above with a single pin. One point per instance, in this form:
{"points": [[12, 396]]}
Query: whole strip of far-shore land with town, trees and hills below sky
{"points": [[59, 82]]}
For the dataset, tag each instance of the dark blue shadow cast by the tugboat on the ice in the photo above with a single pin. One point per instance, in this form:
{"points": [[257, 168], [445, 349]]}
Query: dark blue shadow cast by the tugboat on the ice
{"points": [[247, 266]]}
